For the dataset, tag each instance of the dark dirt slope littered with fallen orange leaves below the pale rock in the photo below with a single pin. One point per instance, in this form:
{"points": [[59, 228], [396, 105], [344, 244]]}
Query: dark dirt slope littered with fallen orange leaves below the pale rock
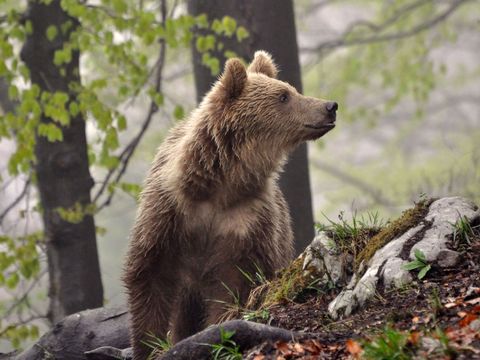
{"points": [[435, 318]]}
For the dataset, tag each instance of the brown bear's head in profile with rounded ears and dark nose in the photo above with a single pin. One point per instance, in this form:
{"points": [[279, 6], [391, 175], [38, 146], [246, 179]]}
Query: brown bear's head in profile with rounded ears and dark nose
{"points": [[251, 103]]}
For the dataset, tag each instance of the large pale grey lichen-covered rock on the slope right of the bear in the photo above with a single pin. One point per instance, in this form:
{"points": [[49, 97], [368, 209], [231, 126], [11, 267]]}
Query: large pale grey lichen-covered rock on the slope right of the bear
{"points": [[386, 267]]}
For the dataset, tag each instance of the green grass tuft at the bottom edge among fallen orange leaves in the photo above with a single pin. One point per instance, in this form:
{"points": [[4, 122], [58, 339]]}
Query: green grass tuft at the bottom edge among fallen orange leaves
{"points": [[391, 344]]}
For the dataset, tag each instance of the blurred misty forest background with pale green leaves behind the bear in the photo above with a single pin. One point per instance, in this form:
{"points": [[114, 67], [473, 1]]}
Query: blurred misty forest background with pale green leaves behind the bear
{"points": [[405, 73]]}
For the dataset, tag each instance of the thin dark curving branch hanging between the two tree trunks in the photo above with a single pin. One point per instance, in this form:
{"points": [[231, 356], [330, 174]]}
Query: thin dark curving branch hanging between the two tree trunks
{"points": [[127, 153]]}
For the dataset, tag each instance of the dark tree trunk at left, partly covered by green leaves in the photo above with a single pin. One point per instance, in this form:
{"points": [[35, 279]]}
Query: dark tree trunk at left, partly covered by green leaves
{"points": [[63, 174]]}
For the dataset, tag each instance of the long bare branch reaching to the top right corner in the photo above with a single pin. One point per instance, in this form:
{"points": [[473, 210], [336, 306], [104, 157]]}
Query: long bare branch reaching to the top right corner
{"points": [[344, 42]]}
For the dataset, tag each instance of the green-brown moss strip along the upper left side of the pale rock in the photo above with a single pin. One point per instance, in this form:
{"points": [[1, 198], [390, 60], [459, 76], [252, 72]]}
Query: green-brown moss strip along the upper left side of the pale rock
{"points": [[409, 218]]}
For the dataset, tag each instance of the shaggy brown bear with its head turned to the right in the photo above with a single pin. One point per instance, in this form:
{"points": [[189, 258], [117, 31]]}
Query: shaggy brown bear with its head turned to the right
{"points": [[211, 207]]}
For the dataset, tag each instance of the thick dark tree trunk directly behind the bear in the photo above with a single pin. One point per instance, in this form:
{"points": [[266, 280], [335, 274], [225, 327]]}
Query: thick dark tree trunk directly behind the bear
{"points": [[271, 25]]}
